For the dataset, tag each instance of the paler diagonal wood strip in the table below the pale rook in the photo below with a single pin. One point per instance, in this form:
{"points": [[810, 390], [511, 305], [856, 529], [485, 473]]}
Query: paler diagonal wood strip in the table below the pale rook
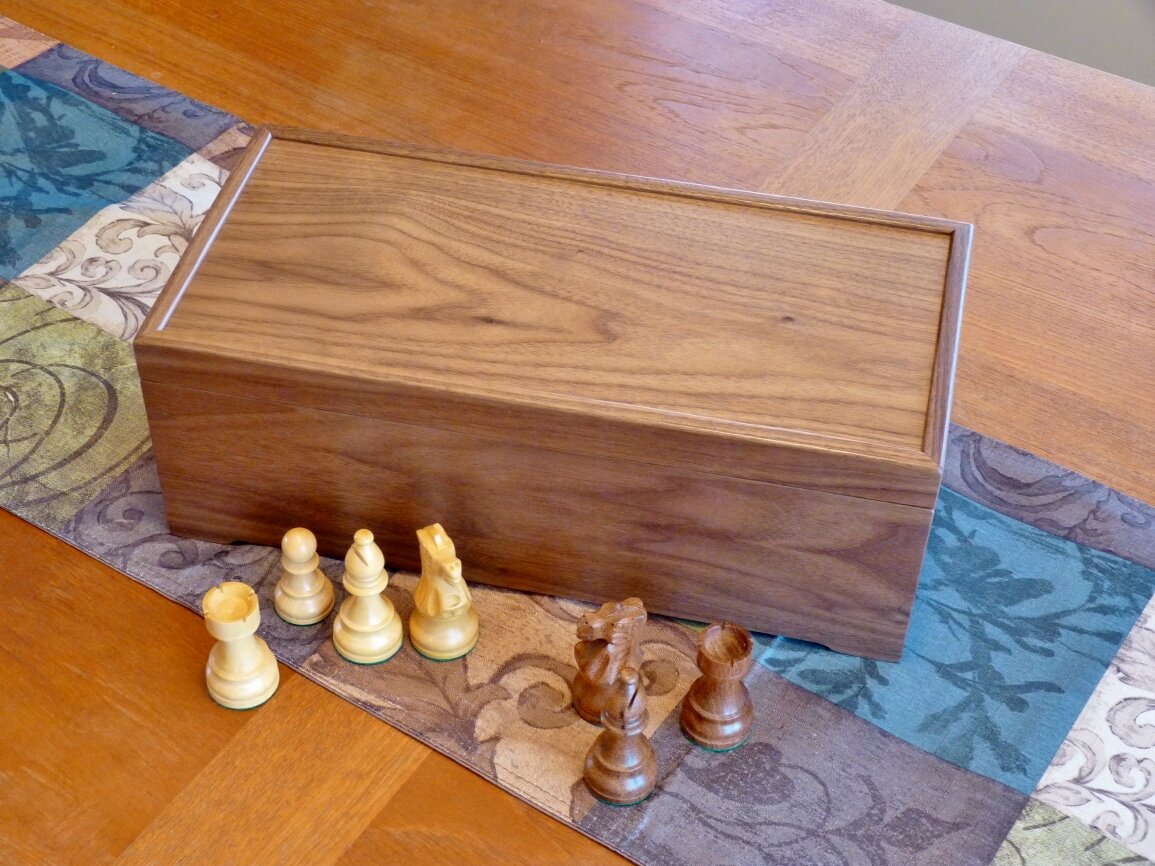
{"points": [[333, 755]]}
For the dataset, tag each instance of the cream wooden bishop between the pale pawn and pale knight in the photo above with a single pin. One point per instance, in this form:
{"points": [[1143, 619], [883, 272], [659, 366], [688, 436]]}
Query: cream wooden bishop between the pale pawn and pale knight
{"points": [[368, 629]]}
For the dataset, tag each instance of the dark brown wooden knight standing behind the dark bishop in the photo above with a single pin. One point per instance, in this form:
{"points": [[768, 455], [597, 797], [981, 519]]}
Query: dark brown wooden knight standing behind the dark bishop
{"points": [[610, 639]]}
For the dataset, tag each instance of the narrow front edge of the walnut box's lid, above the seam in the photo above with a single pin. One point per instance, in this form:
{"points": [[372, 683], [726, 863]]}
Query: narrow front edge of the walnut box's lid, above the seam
{"points": [[823, 465]]}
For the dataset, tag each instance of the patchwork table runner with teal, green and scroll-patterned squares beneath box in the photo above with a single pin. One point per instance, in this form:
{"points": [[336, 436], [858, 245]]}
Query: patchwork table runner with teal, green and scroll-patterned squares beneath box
{"points": [[1015, 728]]}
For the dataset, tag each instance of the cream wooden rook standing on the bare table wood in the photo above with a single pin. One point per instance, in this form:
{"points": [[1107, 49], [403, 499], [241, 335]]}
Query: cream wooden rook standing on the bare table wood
{"points": [[242, 671]]}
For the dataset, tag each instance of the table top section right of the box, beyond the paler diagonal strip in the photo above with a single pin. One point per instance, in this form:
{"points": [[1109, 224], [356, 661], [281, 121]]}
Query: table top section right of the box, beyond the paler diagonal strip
{"points": [[1060, 334]]}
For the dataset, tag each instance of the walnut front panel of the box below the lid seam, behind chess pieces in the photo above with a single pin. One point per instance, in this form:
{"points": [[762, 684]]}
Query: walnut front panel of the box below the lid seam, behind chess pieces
{"points": [[806, 564]]}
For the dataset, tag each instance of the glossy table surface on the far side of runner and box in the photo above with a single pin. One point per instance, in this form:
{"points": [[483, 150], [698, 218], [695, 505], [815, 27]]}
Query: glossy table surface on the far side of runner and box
{"points": [[726, 94]]}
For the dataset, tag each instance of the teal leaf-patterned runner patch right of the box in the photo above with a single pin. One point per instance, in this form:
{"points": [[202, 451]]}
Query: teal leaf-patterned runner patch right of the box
{"points": [[1012, 630]]}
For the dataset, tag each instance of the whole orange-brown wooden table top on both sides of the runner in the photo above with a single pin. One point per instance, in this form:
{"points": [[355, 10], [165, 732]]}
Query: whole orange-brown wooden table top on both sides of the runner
{"points": [[118, 753]]}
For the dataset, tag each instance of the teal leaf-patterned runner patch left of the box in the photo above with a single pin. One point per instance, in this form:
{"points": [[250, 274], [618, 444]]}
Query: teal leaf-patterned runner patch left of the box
{"points": [[64, 159]]}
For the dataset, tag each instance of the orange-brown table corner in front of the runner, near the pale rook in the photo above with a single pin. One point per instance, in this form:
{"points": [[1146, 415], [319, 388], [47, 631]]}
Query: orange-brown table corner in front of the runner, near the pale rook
{"points": [[113, 751]]}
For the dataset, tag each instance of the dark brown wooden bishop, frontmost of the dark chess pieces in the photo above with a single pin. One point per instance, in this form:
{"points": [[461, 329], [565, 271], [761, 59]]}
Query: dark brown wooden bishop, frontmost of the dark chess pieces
{"points": [[621, 767]]}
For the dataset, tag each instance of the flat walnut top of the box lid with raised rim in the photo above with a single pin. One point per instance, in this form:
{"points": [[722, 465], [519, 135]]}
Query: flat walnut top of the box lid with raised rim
{"points": [[646, 302]]}
